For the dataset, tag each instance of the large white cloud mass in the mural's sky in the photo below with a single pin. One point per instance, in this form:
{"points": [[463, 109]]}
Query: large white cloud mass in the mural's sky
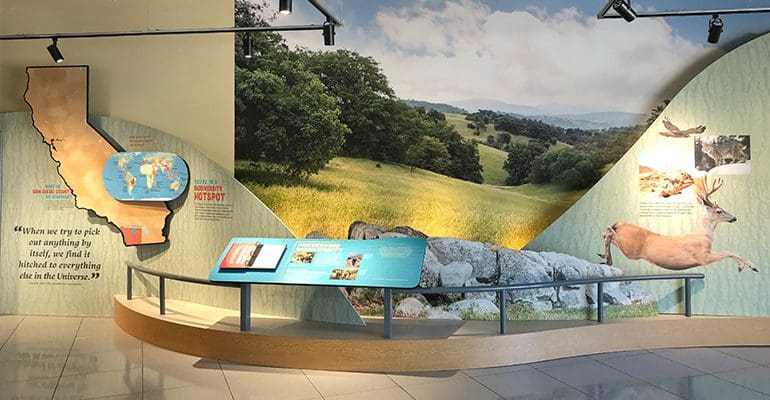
{"points": [[460, 49]]}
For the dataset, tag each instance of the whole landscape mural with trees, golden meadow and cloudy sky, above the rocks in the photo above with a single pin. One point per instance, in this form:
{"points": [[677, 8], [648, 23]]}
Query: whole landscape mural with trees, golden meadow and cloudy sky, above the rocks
{"points": [[464, 133]]}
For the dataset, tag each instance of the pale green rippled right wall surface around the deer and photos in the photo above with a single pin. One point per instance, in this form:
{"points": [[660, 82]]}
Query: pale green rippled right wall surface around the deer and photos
{"points": [[730, 97]]}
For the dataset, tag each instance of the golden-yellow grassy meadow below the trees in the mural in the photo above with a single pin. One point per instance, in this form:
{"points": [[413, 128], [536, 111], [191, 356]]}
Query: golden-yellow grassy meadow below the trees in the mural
{"points": [[350, 189]]}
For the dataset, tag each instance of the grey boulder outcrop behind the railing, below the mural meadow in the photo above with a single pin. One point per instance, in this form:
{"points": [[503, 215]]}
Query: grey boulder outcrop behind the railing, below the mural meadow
{"points": [[451, 262]]}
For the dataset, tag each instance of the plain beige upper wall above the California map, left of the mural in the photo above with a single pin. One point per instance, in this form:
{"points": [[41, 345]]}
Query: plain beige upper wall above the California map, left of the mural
{"points": [[181, 84]]}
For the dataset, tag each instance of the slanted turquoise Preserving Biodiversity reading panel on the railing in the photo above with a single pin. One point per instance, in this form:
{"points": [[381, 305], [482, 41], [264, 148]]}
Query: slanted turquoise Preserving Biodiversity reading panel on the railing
{"points": [[387, 263]]}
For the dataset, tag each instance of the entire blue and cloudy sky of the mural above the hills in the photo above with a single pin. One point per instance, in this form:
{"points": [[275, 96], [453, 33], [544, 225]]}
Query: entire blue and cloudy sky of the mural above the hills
{"points": [[553, 54]]}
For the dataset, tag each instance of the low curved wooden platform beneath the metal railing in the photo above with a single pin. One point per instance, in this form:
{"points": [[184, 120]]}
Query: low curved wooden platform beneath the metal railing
{"points": [[417, 345]]}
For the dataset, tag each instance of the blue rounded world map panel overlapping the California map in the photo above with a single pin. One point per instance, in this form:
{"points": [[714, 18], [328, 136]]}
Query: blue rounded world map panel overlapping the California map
{"points": [[145, 176]]}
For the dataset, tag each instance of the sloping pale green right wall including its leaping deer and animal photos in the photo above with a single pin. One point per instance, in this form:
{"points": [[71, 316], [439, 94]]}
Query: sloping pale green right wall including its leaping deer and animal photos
{"points": [[717, 128]]}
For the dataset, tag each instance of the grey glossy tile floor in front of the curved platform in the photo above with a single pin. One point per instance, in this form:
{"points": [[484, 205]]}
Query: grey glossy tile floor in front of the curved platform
{"points": [[91, 358]]}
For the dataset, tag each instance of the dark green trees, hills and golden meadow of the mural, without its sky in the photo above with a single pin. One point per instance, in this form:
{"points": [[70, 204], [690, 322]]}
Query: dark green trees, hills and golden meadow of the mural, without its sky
{"points": [[323, 140]]}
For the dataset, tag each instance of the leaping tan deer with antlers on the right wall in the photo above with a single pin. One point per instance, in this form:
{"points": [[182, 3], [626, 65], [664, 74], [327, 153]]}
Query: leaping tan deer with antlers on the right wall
{"points": [[675, 252]]}
